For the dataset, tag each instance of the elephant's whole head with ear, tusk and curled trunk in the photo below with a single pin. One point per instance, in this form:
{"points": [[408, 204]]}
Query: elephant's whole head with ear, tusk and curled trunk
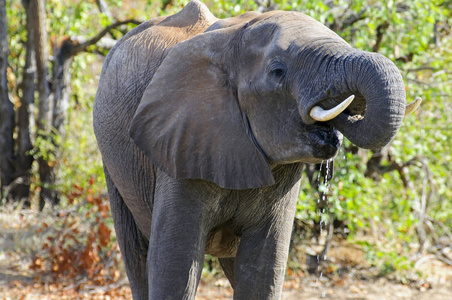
{"points": [[261, 90]]}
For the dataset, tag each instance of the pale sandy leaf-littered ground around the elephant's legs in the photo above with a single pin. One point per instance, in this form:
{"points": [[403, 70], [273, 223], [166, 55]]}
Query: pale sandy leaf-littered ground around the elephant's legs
{"points": [[18, 281]]}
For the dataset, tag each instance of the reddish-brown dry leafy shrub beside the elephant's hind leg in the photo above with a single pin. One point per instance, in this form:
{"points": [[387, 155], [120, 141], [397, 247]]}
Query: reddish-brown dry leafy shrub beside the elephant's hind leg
{"points": [[80, 243]]}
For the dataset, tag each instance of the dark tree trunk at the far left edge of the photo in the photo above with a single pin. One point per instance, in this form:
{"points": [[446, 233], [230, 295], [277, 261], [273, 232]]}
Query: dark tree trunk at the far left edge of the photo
{"points": [[6, 109]]}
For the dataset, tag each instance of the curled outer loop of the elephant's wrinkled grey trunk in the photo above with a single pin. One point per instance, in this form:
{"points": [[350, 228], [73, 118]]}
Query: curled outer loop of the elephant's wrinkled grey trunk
{"points": [[380, 84]]}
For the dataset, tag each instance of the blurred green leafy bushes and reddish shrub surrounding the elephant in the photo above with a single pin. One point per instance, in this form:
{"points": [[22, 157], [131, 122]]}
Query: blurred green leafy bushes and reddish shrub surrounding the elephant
{"points": [[394, 204]]}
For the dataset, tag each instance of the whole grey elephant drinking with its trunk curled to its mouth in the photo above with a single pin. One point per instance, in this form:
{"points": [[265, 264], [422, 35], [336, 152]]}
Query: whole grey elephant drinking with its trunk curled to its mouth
{"points": [[204, 126]]}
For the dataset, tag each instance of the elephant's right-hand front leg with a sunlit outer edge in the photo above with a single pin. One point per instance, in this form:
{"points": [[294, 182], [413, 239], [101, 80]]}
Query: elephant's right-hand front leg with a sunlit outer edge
{"points": [[262, 257]]}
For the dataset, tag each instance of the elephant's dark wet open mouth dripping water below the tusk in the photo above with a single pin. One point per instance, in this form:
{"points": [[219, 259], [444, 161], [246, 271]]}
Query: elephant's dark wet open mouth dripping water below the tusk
{"points": [[325, 141]]}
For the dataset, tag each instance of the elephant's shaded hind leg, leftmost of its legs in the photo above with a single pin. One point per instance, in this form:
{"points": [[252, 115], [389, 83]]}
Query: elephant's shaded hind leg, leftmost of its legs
{"points": [[132, 243]]}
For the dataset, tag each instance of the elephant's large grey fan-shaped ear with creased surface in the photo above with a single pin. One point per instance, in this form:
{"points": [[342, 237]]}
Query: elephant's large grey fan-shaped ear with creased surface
{"points": [[189, 122]]}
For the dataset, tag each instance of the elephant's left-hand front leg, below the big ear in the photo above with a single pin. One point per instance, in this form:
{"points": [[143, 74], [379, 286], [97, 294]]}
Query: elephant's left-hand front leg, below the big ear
{"points": [[176, 248]]}
